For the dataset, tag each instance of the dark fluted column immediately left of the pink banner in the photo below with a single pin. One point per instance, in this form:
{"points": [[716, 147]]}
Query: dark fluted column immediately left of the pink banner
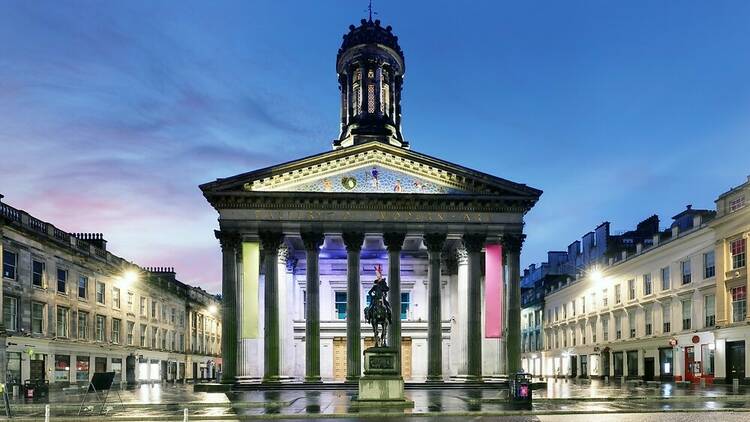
{"points": [[474, 244]]}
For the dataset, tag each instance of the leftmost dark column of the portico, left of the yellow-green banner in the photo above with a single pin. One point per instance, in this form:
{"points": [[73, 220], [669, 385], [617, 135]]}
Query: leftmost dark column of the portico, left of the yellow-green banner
{"points": [[229, 242]]}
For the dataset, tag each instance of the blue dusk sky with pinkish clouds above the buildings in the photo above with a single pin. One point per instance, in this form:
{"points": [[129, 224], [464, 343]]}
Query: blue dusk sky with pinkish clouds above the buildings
{"points": [[113, 112]]}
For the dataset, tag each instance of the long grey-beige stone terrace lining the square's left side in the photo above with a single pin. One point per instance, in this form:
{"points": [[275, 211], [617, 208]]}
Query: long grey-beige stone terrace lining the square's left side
{"points": [[71, 308]]}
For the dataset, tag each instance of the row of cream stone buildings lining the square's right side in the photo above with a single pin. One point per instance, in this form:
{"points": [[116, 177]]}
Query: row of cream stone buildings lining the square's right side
{"points": [[657, 305]]}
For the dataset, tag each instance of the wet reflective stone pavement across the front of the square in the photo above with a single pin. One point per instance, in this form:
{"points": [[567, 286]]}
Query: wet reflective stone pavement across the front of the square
{"points": [[557, 397]]}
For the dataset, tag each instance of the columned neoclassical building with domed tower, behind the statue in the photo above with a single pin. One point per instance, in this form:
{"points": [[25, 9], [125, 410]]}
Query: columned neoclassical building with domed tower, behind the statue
{"points": [[300, 240]]}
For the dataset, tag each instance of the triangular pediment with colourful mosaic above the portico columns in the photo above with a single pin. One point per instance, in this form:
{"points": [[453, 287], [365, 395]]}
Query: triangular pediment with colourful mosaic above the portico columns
{"points": [[374, 167]]}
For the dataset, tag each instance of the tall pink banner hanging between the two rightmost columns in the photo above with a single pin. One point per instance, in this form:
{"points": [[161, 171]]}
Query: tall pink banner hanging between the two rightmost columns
{"points": [[493, 291]]}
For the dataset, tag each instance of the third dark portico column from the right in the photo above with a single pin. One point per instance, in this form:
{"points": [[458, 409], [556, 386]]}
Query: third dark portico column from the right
{"points": [[434, 243]]}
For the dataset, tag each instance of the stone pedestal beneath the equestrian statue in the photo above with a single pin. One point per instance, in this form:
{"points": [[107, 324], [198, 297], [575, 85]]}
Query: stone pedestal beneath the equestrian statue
{"points": [[382, 383]]}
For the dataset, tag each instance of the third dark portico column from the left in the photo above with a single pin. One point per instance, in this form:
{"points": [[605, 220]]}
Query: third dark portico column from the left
{"points": [[313, 242]]}
